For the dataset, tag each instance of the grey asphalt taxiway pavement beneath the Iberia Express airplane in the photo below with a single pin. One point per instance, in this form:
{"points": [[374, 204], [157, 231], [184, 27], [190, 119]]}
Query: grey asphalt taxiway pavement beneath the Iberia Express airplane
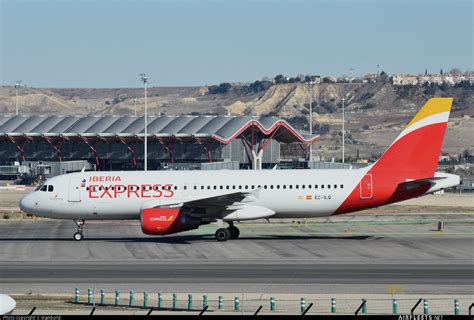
{"points": [[40, 256]]}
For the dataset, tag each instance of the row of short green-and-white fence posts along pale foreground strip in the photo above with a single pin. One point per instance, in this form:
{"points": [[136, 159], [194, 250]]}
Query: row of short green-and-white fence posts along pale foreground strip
{"points": [[268, 304]]}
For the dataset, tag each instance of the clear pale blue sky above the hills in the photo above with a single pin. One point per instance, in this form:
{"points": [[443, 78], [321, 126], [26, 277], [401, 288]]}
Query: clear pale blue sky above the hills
{"points": [[107, 43]]}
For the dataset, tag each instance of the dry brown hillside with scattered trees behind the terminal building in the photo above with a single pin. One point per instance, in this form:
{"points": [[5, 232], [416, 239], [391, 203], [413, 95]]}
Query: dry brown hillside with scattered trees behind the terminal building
{"points": [[375, 113]]}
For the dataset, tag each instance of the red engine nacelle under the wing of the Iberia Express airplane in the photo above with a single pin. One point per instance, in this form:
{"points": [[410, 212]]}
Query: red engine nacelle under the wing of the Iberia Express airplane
{"points": [[161, 221]]}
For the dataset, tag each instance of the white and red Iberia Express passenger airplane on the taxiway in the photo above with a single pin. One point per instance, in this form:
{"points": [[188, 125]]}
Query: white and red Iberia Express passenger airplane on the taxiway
{"points": [[168, 202]]}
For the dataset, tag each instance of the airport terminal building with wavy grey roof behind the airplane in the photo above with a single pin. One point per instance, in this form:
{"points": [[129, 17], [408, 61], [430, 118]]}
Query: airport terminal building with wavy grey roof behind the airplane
{"points": [[174, 142]]}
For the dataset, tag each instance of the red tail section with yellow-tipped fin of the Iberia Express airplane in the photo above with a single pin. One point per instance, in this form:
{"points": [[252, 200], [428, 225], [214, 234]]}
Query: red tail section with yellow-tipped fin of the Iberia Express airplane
{"points": [[412, 156]]}
